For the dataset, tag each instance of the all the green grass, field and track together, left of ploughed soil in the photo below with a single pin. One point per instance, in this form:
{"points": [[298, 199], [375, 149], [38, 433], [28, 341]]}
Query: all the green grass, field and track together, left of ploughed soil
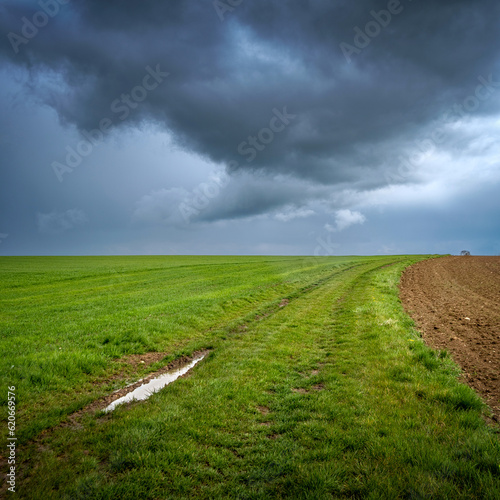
{"points": [[316, 385]]}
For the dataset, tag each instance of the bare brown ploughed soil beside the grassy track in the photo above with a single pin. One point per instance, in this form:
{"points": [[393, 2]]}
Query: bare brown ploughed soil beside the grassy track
{"points": [[455, 302]]}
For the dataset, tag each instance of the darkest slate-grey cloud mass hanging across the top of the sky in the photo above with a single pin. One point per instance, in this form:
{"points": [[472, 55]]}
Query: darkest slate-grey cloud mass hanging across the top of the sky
{"points": [[226, 78]]}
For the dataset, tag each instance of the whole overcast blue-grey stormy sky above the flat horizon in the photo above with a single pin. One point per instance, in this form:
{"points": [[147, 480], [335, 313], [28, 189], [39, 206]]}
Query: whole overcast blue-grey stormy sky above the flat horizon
{"points": [[299, 127]]}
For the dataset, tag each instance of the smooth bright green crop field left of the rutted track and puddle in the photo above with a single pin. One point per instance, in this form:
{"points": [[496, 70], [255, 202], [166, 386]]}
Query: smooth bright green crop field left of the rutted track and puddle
{"points": [[67, 323]]}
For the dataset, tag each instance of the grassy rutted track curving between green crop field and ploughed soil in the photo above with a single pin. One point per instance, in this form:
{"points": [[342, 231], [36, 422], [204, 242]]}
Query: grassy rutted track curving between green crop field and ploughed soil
{"points": [[331, 396]]}
